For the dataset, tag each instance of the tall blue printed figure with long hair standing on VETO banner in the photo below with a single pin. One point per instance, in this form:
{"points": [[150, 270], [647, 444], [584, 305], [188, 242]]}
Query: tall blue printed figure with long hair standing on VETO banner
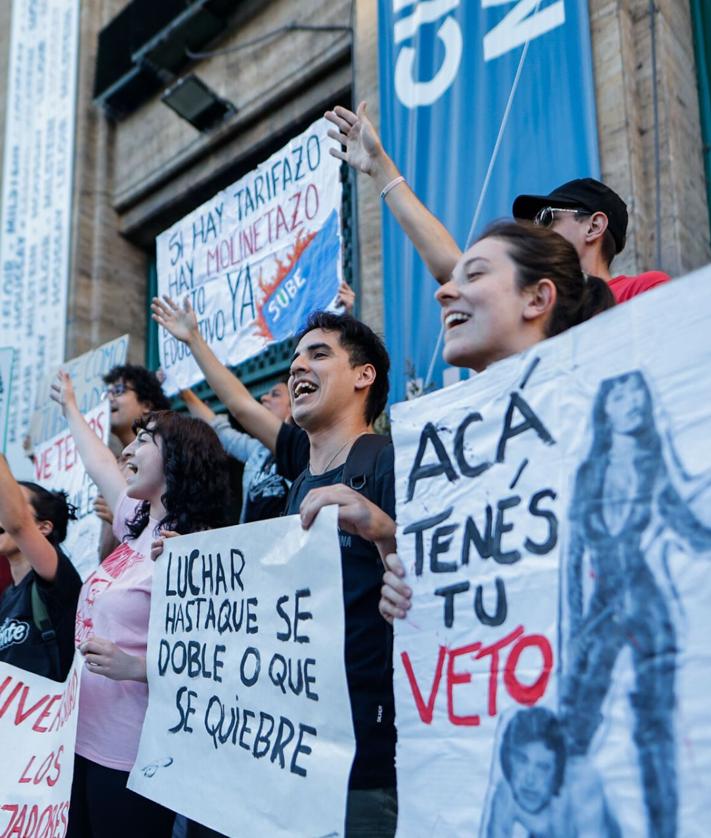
{"points": [[630, 489]]}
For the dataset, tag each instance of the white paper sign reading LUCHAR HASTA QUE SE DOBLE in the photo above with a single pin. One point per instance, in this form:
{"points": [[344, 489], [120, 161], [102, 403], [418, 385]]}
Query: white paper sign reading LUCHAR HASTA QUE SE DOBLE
{"points": [[247, 681]]}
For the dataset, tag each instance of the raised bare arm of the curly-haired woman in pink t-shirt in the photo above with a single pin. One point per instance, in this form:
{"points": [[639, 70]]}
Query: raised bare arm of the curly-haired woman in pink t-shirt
{"points": [[98, 459]]}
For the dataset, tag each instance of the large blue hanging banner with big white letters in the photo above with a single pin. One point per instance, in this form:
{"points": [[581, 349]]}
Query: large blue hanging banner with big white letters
{"points": [[446, 71]]}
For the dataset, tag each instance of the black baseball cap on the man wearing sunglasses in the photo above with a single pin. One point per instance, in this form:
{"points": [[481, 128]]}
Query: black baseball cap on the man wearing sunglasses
{"points": [[586, 194]]}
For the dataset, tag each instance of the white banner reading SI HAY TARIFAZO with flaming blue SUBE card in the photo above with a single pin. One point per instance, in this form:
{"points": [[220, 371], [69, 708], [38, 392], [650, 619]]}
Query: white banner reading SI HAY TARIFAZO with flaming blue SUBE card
{"points": [[257, 258]]}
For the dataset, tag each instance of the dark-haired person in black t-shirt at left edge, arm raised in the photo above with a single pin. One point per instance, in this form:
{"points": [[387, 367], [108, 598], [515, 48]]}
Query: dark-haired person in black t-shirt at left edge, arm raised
{"points": [[38, 609]]}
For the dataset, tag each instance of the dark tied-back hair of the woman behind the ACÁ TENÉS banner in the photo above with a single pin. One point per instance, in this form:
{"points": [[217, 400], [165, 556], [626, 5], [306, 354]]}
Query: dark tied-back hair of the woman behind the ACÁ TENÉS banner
{"points": [[540, 253]]}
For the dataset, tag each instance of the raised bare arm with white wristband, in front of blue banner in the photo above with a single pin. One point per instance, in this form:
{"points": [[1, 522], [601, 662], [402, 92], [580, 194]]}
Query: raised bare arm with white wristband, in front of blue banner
{"points": [[365, 153]]}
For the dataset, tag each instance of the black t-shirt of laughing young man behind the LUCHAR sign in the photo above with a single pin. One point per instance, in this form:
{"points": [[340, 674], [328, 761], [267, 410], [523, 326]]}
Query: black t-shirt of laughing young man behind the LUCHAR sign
{"points": [[368, 637]]}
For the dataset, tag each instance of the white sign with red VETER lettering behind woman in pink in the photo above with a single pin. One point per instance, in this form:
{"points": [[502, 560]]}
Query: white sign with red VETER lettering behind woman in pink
{"points": [[59, 466]]}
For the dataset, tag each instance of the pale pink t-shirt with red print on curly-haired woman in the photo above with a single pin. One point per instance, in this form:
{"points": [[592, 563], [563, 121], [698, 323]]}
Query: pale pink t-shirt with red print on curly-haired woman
{"points": [[115, 603]]}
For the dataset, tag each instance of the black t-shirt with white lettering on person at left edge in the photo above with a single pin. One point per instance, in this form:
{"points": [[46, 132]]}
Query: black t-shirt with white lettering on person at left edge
{"points": [[21, 642]]}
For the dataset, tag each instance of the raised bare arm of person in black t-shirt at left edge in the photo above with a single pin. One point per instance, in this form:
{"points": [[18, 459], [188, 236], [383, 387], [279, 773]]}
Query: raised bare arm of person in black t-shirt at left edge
{"points": [[17, 518]]}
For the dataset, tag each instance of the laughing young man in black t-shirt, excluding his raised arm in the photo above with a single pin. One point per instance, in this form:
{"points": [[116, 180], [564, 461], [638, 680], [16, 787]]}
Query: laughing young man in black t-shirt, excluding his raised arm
{"points": [[338, 385]]}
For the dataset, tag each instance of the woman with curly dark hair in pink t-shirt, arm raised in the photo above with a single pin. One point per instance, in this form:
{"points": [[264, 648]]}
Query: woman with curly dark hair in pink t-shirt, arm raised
{"points": [[176, 480]]}
